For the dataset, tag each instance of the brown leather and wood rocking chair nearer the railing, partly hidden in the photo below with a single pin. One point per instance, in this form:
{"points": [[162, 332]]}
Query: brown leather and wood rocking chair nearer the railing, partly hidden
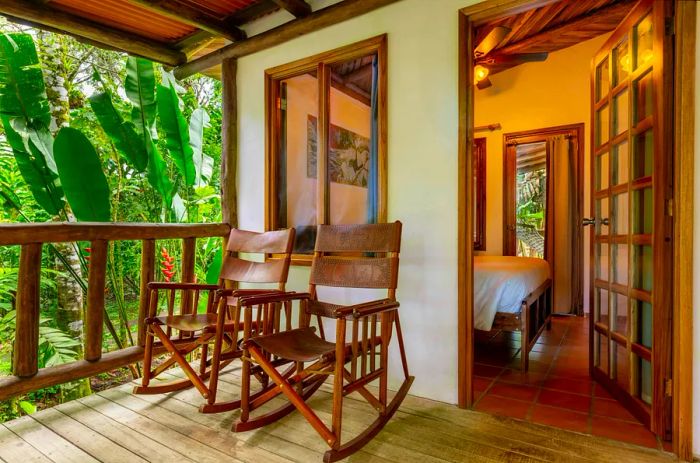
{"points": [[183, 333]]}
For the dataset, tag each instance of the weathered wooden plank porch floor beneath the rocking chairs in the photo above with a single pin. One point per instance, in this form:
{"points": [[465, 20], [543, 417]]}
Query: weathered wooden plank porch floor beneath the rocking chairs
{"points": [[116, 426]]}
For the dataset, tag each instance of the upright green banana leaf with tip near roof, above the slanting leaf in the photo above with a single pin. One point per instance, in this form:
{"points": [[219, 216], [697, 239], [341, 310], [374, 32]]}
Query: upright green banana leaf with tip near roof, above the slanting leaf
{"points": [[140, 87]]}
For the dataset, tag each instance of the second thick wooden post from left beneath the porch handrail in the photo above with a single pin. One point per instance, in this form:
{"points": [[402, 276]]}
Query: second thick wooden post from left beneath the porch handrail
{"points": [[94, 317]]}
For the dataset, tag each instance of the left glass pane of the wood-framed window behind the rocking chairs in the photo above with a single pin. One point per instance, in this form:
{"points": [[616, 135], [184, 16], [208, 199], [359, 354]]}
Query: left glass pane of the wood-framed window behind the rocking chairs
{"points": [[297, 159]]}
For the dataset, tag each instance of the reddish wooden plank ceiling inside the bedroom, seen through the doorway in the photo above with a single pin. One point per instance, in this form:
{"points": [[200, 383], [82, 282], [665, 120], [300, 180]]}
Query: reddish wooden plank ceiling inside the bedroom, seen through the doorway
{"points": [[552, 27]]}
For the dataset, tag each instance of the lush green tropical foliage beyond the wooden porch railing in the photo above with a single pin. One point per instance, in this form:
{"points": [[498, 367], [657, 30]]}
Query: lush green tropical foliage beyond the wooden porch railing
{"points": [[134, 145]]}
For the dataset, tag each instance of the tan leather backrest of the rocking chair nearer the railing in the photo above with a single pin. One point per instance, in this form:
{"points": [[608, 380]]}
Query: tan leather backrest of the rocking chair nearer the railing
{"points": [[246, 271]]}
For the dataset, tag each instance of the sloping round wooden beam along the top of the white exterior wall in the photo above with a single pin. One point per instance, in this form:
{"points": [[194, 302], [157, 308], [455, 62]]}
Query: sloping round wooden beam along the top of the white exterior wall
{"points": [[317, 20]]}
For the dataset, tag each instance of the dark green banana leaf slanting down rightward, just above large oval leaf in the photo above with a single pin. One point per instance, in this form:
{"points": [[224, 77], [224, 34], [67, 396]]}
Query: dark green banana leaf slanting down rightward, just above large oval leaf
{"points": [[122, 133]]}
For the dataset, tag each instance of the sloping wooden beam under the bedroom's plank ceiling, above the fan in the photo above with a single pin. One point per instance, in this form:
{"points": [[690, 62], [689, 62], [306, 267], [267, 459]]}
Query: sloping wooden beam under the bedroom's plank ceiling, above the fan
{"points": [[613, 13]]}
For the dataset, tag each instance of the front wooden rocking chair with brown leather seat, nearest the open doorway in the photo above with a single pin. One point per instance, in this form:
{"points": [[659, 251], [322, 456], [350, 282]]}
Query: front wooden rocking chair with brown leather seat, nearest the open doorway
{"points": [[341, 259]]}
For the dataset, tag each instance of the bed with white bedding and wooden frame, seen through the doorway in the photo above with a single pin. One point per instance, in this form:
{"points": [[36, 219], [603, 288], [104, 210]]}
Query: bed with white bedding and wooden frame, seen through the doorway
{"points": [[513, 294]]}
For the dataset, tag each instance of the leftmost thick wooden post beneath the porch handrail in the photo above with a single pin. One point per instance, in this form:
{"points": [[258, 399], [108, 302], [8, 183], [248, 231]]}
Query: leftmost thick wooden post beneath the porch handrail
{"points": [[26, 349]]}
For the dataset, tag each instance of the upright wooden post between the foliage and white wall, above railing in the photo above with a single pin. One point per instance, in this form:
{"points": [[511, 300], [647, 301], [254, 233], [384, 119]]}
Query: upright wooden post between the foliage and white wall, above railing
{"points": [[229, 140]]}
